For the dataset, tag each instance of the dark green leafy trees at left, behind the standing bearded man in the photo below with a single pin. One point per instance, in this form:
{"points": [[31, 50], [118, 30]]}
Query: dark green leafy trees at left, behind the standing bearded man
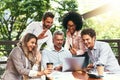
{"points": [[15, 15]]}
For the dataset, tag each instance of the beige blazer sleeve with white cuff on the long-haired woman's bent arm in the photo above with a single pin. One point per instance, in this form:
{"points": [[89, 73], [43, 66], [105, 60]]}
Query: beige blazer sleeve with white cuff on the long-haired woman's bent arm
{"points": [[18, 62]]}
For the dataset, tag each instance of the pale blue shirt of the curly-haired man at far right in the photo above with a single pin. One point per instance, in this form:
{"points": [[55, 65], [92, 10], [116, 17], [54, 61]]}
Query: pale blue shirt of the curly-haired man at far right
{"points": [[103, 54]]}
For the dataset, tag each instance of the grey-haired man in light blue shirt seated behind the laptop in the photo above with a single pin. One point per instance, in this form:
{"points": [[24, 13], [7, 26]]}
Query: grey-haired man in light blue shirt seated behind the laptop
{"points": [[57, 53]]}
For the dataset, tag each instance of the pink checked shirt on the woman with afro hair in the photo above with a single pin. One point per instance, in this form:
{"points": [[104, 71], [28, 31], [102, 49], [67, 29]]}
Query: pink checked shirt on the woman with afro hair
{"points": [[76, 42]]}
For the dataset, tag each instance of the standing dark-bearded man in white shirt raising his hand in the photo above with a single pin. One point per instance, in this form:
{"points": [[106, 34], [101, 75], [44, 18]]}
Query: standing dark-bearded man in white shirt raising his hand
{"points": [[41, 30]]}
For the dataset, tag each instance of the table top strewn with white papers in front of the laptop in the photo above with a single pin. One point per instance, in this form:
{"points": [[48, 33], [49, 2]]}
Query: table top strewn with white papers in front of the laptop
{"points": [[78, 75]]}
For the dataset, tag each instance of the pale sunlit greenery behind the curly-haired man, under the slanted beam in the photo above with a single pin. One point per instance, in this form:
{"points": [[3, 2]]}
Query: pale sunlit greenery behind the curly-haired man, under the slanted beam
{"points": [[106, 25]]}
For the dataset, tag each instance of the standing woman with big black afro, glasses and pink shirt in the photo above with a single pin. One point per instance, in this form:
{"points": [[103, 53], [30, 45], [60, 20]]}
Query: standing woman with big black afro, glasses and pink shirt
{"points": [[72, 22]]}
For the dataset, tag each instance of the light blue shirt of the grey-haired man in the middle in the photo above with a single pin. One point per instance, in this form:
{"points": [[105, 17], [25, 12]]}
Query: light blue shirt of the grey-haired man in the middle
{"points": [[56, 57]]}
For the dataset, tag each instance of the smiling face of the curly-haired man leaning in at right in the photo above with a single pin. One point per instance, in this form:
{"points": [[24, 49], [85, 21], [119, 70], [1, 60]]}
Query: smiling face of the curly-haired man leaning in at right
{"points": [[88, 41]]}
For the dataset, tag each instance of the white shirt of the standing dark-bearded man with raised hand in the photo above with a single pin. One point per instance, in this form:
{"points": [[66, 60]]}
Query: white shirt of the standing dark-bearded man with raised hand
{"points": [[36, 28]]}
